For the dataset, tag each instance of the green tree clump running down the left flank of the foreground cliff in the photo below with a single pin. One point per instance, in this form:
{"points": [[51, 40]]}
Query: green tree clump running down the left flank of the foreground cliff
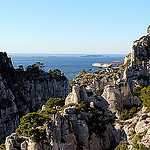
{"points": [[34, 124]]}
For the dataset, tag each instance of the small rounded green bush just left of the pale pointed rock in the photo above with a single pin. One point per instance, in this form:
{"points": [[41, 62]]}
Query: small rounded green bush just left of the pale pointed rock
{"points": [[55, 102]]}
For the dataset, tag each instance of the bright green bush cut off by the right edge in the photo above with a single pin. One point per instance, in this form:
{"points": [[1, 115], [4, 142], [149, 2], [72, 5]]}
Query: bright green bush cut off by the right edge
{"points": [[145, 96]]}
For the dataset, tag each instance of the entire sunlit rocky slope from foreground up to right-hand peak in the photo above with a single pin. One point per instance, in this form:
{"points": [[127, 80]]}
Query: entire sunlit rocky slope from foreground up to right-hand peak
{"points": [[103, 109]]}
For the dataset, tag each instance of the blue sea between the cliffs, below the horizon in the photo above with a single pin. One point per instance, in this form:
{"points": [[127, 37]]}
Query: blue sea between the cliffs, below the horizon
{"points": [[69, 64]]}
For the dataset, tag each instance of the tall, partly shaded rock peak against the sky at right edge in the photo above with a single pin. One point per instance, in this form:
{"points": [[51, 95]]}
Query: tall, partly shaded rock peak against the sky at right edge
{"points": [[138, 73]]}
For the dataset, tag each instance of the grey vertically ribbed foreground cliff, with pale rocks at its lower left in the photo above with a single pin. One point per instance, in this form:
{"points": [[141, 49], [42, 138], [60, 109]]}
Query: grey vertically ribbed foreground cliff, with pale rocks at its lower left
{"points": [[70, 129]]}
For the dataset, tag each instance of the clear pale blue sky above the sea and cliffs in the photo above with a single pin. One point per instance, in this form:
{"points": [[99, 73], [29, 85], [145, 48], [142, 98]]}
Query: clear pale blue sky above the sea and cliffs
{"points": [[72, 26]]}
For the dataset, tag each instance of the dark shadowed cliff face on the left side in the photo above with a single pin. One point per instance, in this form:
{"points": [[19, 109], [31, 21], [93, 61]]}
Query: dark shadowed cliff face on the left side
{"points": [[22, 92]]}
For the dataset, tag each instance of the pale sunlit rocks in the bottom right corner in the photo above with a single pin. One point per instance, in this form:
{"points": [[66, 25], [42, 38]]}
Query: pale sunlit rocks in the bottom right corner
{"points": [[138, 126]]}
